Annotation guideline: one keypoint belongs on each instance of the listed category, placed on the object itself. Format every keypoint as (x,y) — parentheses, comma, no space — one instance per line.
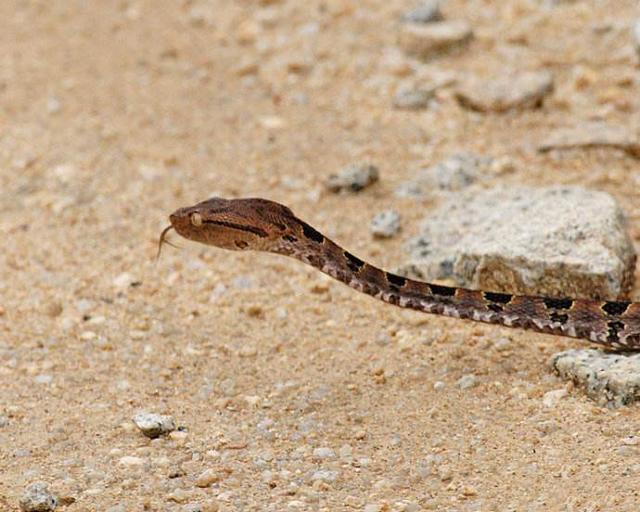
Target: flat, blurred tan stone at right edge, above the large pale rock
(593,135)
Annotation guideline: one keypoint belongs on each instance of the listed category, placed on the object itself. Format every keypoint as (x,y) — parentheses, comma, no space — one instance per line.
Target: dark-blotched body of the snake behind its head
(613,324)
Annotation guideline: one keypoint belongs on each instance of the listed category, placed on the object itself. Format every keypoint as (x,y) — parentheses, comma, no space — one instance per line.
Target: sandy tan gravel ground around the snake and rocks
(295,392)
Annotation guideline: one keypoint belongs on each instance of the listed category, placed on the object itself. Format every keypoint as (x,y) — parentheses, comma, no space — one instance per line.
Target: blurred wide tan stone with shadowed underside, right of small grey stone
(513,91)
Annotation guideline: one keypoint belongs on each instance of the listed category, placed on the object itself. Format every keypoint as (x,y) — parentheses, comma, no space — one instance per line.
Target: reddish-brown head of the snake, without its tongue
(234,224)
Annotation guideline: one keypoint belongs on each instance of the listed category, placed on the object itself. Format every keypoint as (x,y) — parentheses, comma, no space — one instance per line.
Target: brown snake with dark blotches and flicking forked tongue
(262,225)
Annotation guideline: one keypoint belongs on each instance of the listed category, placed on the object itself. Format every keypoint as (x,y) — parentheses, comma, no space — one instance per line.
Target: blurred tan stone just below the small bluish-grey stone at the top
(425,41)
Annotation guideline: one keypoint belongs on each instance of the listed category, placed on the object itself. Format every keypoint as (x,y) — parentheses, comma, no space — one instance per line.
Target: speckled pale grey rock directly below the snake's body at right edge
(611,379)
